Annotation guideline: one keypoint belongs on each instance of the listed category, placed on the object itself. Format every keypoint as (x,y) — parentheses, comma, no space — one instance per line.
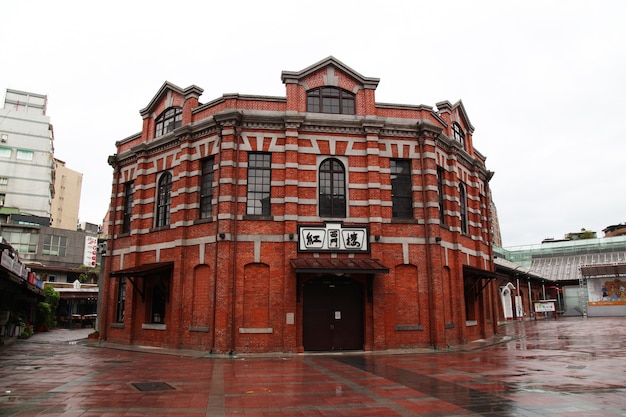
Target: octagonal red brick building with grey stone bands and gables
(322,220)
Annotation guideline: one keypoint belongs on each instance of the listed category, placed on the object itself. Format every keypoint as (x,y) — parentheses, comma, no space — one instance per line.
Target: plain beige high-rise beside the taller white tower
(66,202)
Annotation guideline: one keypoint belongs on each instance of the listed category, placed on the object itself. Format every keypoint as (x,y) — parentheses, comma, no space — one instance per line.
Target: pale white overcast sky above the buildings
(542,82)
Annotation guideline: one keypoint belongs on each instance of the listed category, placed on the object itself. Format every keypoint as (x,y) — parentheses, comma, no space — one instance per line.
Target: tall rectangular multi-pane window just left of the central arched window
(259,184)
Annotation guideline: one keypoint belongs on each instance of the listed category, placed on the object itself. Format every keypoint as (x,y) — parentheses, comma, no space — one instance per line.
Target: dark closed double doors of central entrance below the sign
(332,316)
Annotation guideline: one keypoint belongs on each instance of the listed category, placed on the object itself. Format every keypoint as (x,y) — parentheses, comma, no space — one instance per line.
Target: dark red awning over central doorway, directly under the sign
(339,265)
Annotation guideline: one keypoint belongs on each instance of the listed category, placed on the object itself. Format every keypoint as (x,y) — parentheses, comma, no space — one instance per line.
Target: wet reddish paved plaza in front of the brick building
(567,367)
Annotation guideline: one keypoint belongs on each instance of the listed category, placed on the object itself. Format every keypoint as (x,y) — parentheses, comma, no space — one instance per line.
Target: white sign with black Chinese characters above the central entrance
(333,237)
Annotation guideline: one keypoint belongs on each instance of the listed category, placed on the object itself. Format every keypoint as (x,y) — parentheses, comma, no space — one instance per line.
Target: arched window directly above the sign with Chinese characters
(332,189)
